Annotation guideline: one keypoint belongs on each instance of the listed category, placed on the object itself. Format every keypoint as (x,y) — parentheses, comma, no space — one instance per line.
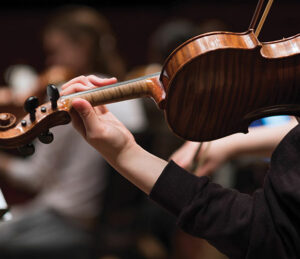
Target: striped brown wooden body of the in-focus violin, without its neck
(218,83)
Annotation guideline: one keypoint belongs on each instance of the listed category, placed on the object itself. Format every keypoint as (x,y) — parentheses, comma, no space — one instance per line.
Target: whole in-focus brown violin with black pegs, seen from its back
(211,86)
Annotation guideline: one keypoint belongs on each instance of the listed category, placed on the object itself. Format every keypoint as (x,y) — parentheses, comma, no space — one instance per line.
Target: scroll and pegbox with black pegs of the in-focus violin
(36,123)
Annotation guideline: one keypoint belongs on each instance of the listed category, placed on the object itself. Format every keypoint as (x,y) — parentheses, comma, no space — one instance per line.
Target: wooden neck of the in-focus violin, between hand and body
(147,86)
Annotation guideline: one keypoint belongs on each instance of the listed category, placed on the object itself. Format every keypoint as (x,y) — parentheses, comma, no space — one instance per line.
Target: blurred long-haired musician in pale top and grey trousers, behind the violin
(60,222)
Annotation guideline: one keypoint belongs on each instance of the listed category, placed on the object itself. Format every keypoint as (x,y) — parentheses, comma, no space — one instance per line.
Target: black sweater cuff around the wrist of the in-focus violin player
(175,188)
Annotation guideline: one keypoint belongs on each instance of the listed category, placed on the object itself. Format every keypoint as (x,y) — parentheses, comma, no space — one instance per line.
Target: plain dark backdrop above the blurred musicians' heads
(133,22)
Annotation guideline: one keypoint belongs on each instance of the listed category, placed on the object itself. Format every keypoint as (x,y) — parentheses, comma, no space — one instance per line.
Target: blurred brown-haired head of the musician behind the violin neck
(80,38)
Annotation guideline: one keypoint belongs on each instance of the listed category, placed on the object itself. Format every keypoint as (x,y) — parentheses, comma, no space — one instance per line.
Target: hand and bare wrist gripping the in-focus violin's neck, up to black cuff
(110,137)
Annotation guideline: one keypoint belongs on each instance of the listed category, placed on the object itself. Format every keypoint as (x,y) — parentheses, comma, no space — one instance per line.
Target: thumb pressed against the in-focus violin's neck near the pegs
(86,113)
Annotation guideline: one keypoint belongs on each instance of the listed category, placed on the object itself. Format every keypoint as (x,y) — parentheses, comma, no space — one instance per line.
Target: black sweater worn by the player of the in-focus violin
(265,225)
